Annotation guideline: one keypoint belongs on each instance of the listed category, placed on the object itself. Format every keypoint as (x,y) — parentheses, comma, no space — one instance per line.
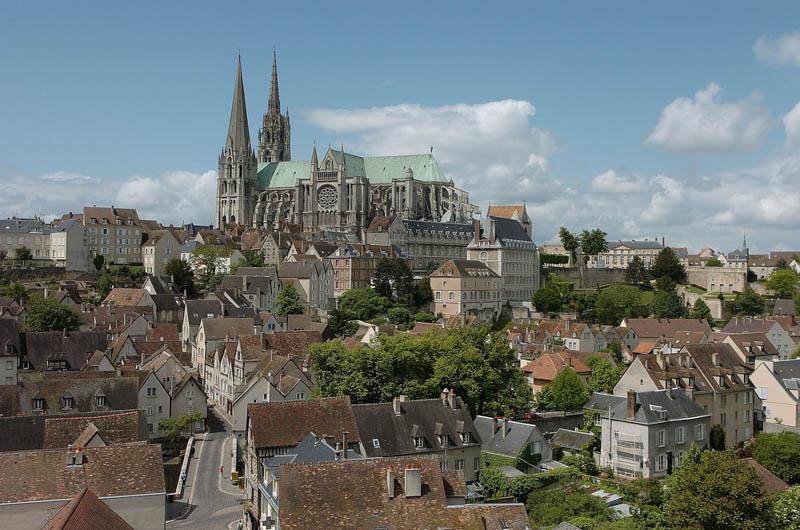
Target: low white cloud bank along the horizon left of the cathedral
(171,197)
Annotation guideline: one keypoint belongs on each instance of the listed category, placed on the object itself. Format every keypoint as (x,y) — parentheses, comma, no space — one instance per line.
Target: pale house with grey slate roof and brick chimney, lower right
(645,434)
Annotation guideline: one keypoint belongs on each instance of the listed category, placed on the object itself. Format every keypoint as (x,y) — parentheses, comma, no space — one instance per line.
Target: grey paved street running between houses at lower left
(213,503)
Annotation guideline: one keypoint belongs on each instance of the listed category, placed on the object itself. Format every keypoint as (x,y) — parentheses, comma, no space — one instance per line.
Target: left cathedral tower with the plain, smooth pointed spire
(236,179)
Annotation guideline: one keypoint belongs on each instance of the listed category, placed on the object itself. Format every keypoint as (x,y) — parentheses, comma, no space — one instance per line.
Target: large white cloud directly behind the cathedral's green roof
(490,149)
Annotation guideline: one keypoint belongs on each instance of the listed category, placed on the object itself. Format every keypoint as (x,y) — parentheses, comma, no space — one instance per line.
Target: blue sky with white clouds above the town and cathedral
(676,119)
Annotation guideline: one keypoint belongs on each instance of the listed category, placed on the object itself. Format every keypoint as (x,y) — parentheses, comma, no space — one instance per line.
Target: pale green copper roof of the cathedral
(378,169)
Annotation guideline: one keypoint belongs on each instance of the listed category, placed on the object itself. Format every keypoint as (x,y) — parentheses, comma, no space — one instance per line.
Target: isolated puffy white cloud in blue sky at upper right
(704,124)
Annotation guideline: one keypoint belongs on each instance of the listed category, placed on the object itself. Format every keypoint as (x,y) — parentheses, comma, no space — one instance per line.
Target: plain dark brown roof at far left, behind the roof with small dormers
(75,347)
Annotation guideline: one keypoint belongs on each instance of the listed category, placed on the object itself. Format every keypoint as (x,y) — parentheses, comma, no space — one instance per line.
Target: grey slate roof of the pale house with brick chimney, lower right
(678,406)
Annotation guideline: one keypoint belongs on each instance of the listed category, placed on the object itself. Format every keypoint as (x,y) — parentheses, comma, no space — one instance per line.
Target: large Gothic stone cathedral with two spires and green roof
(338,191)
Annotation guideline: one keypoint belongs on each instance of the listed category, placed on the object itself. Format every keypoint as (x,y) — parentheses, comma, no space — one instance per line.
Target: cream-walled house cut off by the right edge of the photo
(777,385)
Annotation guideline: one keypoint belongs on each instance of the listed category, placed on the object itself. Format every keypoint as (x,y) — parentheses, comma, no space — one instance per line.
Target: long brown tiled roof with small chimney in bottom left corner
(127,469)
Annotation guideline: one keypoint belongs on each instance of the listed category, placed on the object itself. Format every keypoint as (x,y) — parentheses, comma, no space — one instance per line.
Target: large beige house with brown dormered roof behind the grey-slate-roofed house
(712,376)
